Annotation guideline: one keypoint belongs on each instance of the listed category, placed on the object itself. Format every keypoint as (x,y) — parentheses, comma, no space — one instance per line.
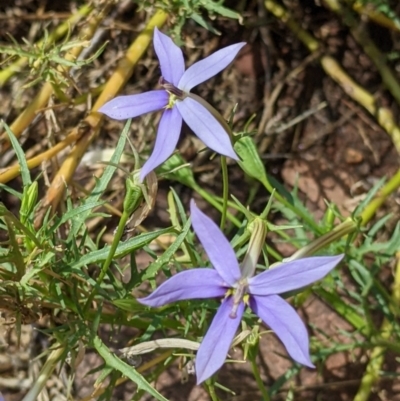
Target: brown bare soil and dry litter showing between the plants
(309,132)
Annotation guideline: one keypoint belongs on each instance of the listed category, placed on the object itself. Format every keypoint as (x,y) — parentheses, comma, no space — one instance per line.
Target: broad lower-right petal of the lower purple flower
(287,325)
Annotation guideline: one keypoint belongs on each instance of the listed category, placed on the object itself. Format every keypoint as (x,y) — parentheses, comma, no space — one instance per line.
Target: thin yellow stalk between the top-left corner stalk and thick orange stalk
(41,99)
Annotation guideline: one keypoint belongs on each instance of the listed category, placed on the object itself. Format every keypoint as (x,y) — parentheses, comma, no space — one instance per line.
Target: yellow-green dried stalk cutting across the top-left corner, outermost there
(58,33)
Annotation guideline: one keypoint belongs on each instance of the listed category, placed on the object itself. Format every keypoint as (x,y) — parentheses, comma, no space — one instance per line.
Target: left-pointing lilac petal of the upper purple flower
(124,107)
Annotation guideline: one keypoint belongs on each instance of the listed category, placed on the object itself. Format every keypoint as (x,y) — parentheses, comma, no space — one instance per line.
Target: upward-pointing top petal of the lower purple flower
(218,248)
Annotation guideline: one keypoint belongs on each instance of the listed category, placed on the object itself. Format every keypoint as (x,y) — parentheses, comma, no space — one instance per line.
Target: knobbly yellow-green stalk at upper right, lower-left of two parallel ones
(332,67)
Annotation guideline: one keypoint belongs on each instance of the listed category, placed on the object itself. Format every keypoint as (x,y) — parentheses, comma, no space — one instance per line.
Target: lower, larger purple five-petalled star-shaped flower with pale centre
(239,288)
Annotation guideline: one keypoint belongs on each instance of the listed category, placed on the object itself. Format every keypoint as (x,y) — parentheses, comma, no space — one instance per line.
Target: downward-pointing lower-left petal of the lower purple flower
(215,345)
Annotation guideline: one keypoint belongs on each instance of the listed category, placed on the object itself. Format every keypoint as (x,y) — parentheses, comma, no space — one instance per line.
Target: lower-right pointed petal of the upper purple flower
(206,127)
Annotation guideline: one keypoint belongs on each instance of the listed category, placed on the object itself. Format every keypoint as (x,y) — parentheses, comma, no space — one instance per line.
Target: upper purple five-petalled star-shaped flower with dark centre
(178,103)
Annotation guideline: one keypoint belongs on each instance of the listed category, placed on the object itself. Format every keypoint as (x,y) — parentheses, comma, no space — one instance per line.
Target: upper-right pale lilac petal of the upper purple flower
(208,67)
